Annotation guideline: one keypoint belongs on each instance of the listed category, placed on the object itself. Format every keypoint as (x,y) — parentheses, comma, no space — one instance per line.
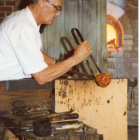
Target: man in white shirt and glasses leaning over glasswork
(20,55)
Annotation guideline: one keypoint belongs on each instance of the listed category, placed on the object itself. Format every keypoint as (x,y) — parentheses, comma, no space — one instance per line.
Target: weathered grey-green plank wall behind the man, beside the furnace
(89,16)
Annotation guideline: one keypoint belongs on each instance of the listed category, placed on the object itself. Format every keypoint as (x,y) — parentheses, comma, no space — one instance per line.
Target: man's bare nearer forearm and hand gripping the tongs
(52,72)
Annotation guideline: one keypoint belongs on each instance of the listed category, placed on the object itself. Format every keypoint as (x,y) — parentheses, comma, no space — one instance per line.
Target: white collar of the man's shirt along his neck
(30,16)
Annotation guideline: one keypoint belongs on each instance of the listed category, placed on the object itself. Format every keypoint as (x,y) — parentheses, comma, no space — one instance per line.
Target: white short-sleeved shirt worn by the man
(20,45)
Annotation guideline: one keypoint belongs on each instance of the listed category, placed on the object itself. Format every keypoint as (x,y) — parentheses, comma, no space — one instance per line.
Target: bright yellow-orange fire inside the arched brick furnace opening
(111,35)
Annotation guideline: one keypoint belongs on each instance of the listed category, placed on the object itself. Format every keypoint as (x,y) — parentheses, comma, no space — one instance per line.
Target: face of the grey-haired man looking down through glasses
(49,12)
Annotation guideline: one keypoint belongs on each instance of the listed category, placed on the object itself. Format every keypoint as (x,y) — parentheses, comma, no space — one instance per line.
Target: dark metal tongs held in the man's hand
(87,62)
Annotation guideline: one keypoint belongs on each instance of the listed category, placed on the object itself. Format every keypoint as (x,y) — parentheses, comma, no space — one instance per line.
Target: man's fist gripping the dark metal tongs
(82,51)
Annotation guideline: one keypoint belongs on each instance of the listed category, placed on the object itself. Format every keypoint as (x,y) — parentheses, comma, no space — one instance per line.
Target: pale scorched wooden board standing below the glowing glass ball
(104,108)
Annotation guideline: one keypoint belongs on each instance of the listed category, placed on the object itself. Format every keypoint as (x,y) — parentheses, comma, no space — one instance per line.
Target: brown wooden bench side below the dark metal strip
(38,98)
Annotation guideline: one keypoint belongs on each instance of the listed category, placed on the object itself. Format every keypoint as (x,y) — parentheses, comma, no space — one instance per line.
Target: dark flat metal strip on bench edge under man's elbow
(27,84)
